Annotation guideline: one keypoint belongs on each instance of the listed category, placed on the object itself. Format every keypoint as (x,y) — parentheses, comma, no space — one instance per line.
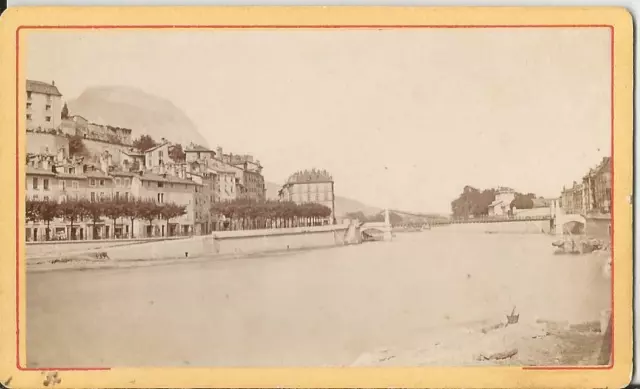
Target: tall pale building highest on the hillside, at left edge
(43,105)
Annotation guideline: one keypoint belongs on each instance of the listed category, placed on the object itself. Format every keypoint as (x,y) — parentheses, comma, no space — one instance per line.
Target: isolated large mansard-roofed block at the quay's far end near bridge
(310,186)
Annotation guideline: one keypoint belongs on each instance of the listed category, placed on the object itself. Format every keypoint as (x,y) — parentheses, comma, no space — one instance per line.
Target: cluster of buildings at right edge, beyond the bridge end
(592,195)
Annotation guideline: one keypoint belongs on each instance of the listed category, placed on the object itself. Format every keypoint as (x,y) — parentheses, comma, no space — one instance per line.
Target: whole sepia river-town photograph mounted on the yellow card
(306,197)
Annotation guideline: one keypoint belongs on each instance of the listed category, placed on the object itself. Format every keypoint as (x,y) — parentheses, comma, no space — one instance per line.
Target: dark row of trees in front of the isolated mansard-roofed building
(251,214)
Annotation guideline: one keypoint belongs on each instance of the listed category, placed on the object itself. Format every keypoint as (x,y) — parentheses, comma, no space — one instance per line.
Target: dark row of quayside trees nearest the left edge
(76,211)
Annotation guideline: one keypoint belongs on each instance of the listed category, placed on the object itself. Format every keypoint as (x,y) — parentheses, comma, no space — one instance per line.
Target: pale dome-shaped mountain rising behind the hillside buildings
(143,113)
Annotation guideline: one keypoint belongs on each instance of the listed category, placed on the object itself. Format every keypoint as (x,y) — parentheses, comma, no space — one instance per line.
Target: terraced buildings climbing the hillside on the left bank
(110,168)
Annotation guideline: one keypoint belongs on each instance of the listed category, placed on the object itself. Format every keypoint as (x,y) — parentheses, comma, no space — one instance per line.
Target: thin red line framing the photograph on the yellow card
(346,26)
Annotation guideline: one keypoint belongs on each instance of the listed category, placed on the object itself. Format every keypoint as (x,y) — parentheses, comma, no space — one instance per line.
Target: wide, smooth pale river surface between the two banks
(312,308)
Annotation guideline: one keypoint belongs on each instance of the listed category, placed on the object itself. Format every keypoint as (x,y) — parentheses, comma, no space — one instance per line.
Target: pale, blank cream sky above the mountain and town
(401,118)
